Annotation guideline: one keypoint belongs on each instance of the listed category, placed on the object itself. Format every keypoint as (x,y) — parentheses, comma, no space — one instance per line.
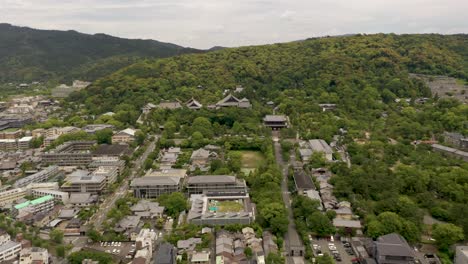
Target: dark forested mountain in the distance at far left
(28,54)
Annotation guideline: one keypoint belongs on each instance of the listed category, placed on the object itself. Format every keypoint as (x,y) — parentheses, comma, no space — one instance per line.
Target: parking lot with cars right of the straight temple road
(345,254)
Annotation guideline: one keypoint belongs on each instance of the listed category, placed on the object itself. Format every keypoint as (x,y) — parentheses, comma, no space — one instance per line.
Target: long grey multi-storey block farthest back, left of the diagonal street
(72,153)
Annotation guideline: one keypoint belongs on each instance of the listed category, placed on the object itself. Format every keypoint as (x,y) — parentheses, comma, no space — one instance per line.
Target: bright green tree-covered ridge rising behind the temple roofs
(313,66)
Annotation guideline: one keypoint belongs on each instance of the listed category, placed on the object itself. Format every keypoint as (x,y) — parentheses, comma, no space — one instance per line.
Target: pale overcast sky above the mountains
(207,23)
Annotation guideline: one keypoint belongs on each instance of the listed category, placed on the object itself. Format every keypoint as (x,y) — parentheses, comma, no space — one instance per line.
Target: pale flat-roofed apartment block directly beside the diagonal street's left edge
(82,181)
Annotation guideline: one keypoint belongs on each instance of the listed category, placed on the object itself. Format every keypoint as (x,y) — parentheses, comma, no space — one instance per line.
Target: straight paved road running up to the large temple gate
(291,237)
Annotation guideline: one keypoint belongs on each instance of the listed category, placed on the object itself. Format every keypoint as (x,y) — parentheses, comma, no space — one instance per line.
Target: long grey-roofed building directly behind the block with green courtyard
(216,185)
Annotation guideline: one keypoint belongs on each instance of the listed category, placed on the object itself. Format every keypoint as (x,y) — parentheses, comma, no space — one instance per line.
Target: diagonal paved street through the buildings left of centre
(99,217)
